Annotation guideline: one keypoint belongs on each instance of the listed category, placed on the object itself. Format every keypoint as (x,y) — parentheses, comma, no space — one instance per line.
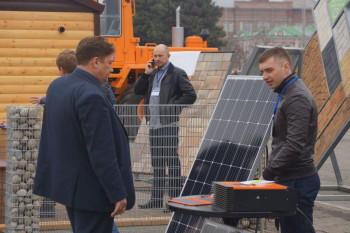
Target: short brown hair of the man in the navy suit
(93,46)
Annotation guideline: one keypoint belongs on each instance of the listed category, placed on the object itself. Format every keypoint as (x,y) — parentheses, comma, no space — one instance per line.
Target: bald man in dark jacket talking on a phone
(165,88)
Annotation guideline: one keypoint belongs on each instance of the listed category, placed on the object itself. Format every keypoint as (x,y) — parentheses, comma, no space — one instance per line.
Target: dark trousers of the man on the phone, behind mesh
(164,144)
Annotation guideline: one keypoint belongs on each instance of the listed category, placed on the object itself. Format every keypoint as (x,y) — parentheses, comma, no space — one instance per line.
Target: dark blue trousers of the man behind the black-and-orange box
(307,189)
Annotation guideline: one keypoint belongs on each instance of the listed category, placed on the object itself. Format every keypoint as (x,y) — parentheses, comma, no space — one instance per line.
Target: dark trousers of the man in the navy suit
(85,221)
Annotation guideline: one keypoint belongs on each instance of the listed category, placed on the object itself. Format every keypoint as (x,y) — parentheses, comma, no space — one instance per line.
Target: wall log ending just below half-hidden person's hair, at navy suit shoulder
(27,80)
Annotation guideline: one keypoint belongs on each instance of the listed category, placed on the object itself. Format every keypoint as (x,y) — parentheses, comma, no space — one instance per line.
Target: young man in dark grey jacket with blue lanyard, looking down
(294,134)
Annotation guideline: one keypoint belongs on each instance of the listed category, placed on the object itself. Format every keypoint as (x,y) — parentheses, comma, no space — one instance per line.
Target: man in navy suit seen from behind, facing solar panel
(84,155)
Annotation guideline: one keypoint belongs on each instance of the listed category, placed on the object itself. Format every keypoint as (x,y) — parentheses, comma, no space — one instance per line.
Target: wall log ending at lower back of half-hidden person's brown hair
(40,71)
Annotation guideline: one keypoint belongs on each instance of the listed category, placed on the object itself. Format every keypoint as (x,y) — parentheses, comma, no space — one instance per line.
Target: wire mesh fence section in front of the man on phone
(161,158)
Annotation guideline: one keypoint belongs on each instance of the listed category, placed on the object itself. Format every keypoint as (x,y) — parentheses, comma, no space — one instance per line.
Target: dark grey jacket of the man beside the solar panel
(294,134)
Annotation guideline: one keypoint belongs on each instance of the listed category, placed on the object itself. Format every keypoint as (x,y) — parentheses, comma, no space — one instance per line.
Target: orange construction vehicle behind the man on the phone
(116,26)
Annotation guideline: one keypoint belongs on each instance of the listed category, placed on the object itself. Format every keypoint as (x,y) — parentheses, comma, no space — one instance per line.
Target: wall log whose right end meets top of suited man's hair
(28,43)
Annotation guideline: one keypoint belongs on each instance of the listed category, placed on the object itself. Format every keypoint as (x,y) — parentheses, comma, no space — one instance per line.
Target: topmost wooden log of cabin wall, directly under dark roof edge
(46,16)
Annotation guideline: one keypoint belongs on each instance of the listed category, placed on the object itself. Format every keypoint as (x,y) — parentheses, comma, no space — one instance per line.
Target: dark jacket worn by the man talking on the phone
(175,89)
